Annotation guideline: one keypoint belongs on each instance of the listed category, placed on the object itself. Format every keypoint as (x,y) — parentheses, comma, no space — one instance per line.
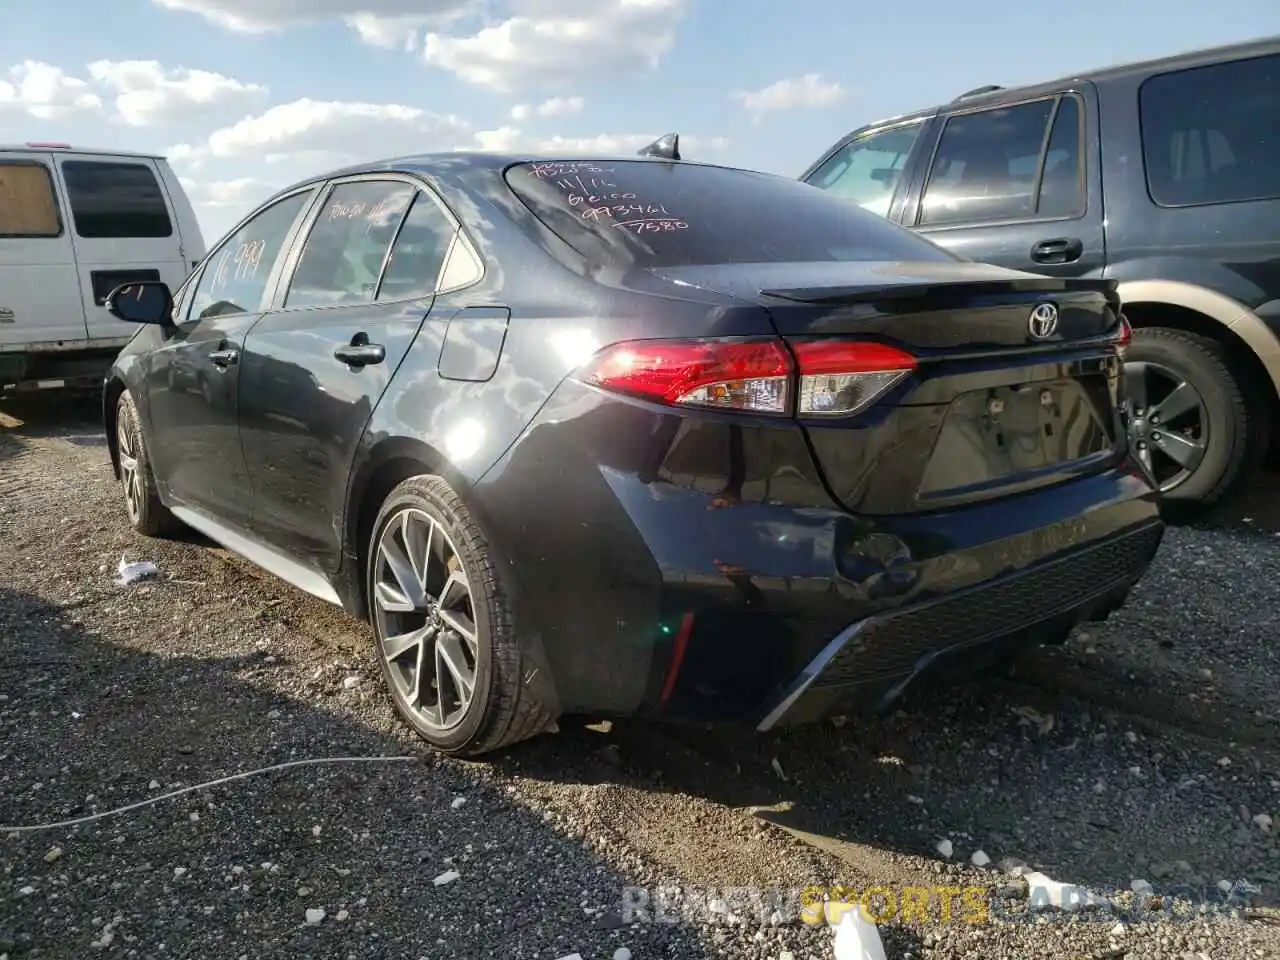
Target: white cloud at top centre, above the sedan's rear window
(554,42)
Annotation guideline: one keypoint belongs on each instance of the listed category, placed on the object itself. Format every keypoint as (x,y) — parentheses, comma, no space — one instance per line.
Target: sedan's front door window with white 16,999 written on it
(235,278)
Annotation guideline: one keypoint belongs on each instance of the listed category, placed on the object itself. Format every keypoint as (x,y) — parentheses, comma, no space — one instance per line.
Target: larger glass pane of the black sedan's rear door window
(345,253)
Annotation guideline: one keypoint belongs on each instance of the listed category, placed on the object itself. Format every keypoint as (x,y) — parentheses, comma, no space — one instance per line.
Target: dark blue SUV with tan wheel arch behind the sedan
(1164,176)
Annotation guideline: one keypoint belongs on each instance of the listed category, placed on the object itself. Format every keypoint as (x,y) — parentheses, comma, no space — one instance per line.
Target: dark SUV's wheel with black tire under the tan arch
(1231,423)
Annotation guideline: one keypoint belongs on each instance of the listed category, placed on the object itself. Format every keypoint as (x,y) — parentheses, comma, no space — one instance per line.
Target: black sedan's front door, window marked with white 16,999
(193,381)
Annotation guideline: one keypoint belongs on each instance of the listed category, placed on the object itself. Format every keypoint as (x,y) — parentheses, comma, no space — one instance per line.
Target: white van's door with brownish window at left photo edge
(40,299)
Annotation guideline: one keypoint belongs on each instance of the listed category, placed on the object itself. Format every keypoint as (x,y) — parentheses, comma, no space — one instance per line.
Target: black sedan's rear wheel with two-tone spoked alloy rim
(444,625)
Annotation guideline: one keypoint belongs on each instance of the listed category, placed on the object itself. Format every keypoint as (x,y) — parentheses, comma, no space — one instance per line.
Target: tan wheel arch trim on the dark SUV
(1250,342)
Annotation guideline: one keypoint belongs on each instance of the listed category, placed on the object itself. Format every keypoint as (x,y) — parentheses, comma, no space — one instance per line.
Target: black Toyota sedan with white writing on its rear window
(634,437)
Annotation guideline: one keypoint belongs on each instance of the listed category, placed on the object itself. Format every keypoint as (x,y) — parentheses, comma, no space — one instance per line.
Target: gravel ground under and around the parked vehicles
(1148,748)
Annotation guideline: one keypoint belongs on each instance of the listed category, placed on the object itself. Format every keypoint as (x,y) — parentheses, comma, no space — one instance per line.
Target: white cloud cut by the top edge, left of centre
(382,22)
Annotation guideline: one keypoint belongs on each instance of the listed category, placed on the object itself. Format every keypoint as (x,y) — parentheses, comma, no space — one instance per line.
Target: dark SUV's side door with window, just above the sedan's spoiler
(1017,185)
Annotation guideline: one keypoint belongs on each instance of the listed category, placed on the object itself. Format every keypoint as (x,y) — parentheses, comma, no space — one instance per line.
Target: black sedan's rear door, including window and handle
(313,371)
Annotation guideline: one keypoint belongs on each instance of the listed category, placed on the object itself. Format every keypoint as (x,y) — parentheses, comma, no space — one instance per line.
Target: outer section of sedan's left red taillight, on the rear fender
(752,376)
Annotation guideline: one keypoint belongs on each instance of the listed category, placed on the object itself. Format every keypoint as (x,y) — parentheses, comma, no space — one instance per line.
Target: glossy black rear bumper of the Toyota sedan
(696,569)
